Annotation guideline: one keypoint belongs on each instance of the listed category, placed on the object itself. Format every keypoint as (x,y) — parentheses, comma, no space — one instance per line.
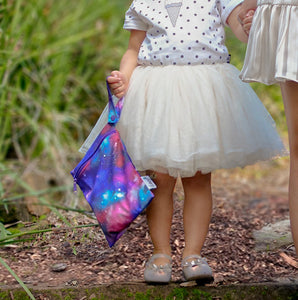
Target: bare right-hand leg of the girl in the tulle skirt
(197,211)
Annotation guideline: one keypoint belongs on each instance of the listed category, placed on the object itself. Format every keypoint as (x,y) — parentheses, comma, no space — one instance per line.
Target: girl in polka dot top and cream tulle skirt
(186,113)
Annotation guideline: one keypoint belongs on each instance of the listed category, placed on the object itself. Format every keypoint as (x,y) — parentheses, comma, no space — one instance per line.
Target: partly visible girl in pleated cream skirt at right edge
(272,57)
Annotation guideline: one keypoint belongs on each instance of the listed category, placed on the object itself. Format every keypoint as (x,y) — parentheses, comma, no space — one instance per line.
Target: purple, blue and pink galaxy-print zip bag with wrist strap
(109,181)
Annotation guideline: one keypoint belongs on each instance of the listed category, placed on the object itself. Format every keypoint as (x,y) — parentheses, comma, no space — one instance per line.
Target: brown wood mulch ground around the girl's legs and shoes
(244,200)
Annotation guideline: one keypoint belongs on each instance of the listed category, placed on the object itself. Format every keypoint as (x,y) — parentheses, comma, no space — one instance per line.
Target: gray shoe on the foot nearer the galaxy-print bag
(158,273)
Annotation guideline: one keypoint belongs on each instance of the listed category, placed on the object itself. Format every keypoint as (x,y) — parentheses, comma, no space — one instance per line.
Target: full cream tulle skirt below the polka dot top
(183,119)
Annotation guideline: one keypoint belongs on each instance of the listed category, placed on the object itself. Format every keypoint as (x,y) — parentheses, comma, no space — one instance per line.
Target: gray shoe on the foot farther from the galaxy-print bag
(195,267)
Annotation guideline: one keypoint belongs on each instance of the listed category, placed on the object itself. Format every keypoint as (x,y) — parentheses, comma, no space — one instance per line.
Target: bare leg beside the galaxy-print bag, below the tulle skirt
(159,214)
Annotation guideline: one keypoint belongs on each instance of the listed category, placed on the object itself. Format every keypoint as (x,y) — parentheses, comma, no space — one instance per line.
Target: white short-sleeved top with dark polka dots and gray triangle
(181,32)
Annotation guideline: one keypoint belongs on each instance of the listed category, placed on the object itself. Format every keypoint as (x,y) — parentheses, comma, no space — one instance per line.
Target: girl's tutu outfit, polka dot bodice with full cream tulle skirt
(186,109)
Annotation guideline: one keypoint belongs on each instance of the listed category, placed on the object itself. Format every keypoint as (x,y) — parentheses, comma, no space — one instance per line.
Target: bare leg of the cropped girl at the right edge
(289,91)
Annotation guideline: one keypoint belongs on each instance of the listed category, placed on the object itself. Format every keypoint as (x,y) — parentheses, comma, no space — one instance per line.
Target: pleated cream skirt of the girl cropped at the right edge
(272,50)
